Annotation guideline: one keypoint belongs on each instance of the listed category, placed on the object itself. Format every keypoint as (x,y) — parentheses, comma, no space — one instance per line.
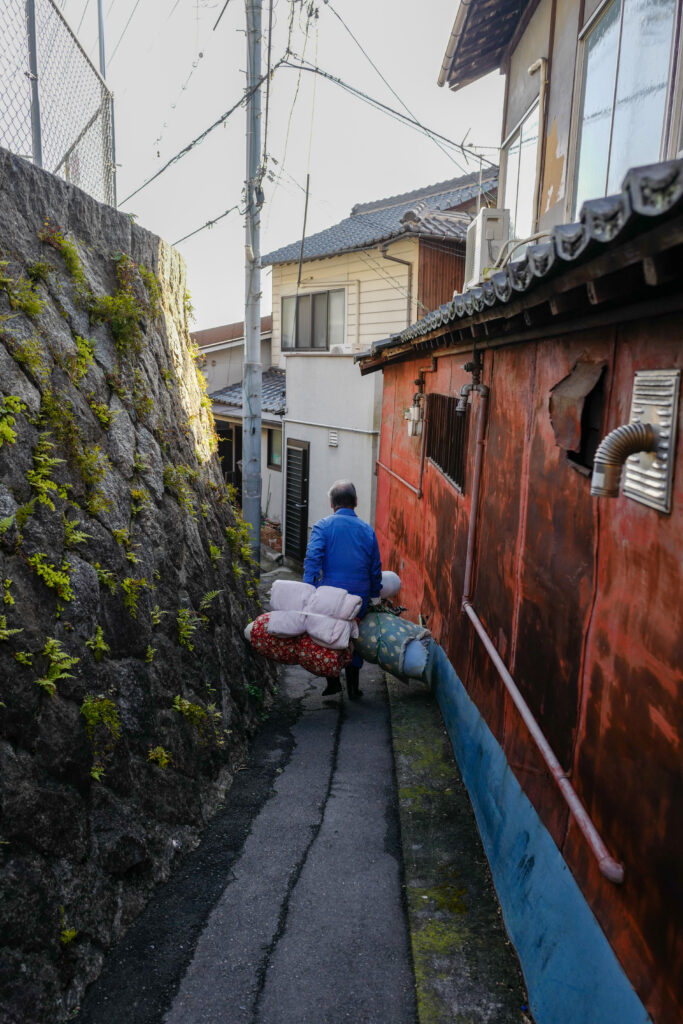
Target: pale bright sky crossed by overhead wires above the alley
(174,74)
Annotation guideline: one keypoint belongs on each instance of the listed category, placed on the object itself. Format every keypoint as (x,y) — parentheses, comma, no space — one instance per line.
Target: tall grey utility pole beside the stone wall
(251,443)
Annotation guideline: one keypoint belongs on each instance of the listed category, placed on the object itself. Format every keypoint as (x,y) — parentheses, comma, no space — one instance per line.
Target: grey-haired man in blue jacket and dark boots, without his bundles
(344,552)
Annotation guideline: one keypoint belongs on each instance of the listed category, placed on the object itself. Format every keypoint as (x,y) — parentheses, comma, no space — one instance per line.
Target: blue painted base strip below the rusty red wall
(572,973)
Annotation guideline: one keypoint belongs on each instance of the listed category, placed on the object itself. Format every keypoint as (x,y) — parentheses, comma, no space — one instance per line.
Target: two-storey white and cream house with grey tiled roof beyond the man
(366,278)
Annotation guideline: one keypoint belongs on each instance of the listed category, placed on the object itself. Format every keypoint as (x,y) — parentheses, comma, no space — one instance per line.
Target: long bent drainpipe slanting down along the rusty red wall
(609,867)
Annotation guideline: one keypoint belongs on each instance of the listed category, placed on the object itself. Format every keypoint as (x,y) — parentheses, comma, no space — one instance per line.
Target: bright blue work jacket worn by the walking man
(344,552)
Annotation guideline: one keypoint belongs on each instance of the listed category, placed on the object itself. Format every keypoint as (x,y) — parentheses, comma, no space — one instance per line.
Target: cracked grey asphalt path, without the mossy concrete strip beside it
(292,910)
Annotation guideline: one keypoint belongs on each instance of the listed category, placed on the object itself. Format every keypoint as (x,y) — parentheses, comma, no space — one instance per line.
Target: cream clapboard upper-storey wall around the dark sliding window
(374,285)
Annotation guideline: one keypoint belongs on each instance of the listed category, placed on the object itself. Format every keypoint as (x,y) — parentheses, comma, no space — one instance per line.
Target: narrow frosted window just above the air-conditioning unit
(522,151)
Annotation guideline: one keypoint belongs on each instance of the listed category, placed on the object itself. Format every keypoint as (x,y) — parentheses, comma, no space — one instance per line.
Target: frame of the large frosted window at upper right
(673,113)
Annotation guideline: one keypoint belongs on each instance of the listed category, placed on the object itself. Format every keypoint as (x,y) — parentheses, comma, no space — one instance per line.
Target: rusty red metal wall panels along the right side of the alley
(582,599)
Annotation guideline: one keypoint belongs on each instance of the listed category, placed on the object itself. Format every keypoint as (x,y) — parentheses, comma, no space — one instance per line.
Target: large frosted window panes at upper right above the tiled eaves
(626,61)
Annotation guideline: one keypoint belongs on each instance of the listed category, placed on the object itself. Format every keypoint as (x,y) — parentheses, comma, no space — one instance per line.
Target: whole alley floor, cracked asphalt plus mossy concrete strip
(293,910)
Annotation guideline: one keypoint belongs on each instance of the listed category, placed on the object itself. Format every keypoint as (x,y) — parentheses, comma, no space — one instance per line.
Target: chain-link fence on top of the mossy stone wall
(55,108)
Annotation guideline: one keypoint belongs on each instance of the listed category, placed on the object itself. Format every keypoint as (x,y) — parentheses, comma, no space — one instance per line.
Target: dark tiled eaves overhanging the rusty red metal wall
(623,262)
